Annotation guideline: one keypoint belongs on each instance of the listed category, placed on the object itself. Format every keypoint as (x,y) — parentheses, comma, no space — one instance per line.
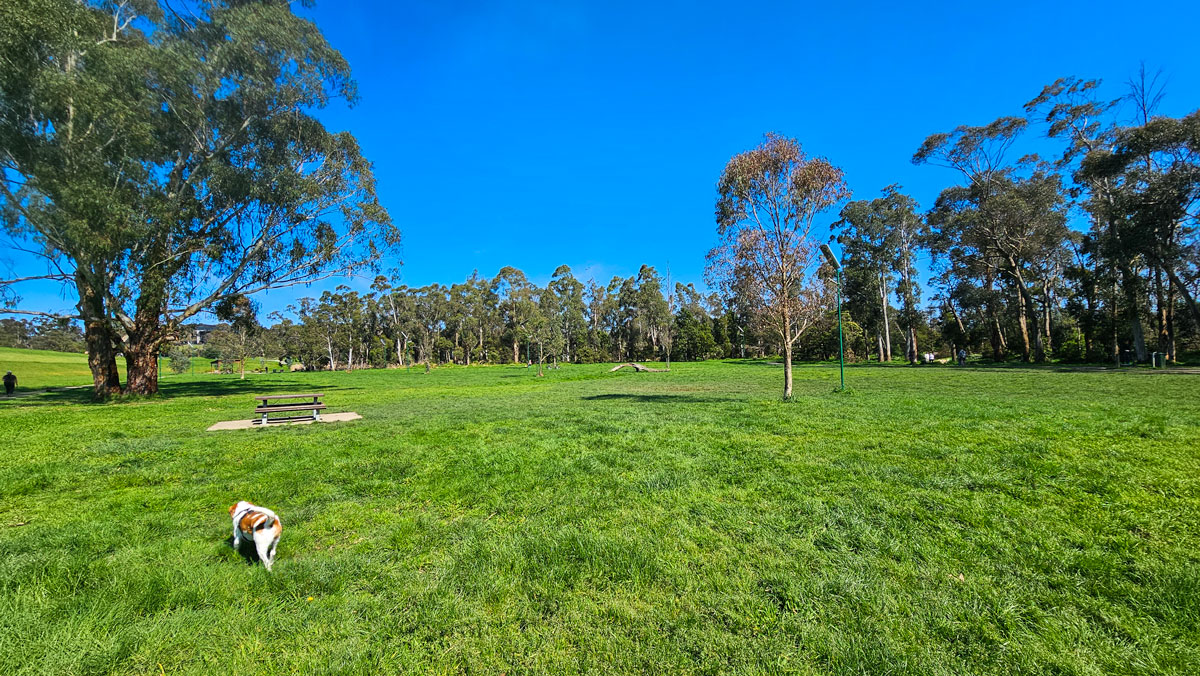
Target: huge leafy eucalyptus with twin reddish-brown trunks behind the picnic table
(185,167)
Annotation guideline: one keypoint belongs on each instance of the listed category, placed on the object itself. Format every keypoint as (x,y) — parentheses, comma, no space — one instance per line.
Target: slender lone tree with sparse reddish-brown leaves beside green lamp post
(769,199)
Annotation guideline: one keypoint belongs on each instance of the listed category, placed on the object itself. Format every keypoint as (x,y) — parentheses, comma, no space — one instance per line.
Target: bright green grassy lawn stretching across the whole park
(935,521)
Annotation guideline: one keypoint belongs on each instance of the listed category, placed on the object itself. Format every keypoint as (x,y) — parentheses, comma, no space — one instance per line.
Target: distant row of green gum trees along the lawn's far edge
(507,320)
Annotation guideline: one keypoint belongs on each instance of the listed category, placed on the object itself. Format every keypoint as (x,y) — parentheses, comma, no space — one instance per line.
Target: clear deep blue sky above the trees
(593,134)
